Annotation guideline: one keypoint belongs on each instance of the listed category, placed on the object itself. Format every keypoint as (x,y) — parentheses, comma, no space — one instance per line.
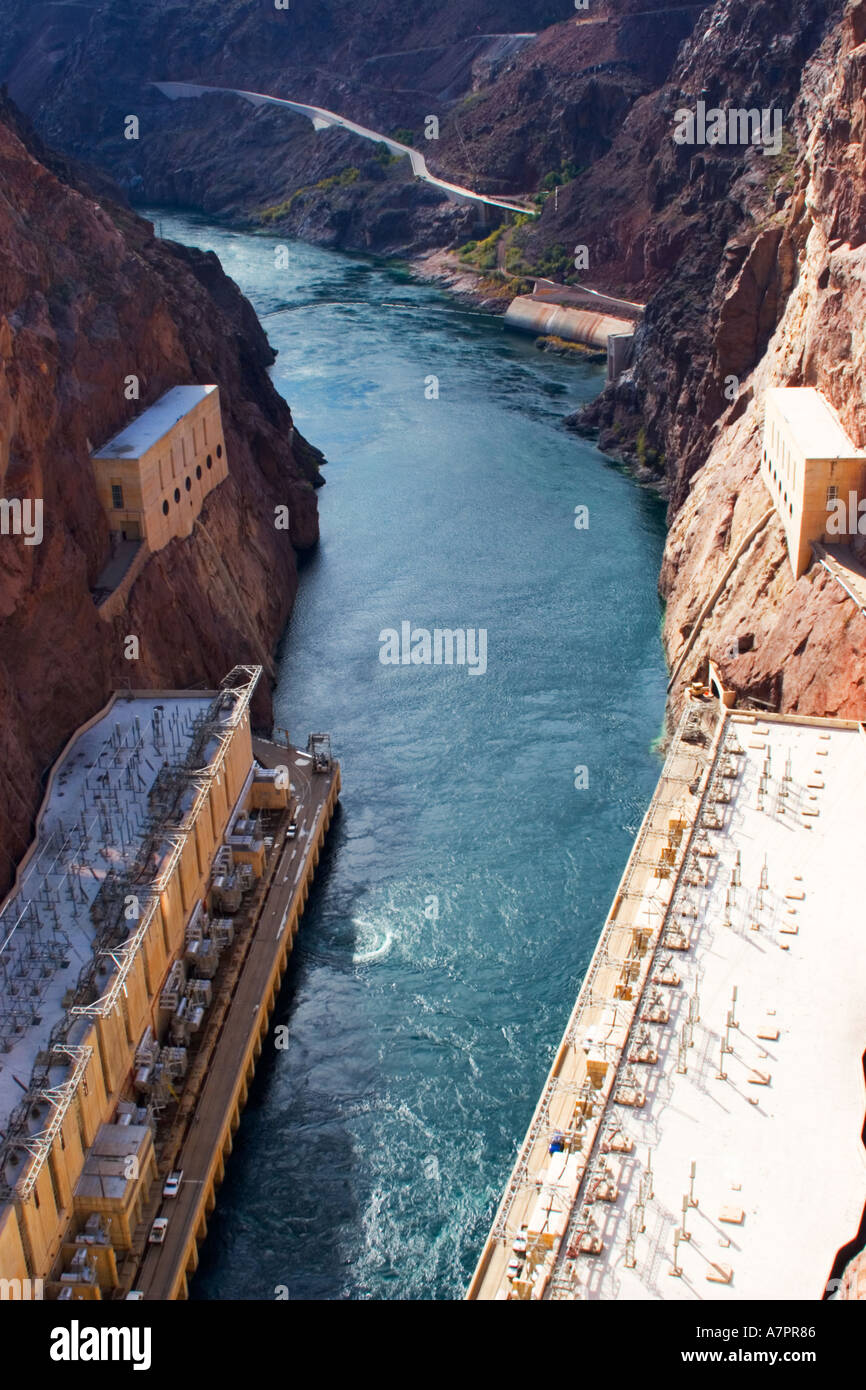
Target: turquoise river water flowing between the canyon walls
(468,878)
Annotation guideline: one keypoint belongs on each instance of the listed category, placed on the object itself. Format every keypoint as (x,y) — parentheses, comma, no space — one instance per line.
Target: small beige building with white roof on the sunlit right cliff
(810,468)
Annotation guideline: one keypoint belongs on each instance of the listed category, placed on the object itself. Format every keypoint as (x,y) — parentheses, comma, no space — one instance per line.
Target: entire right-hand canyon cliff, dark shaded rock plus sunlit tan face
(754,269)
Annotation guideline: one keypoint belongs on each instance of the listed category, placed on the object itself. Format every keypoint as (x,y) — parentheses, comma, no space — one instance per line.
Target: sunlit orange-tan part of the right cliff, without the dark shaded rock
(796,646)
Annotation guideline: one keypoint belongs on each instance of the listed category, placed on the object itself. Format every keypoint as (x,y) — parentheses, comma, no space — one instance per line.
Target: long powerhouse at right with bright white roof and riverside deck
(700,1134)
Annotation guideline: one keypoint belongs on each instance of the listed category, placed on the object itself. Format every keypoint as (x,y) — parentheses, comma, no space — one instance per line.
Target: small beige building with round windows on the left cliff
(155,475)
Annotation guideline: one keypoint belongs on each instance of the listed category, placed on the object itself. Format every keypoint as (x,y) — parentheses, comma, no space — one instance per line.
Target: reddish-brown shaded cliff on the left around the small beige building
(88,297)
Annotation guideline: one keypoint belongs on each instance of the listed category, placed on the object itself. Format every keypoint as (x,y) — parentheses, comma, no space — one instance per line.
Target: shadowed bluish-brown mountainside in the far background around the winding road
(512,111)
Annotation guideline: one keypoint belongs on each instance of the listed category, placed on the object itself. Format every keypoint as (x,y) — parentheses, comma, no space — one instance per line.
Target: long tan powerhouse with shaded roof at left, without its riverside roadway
(148,837)
